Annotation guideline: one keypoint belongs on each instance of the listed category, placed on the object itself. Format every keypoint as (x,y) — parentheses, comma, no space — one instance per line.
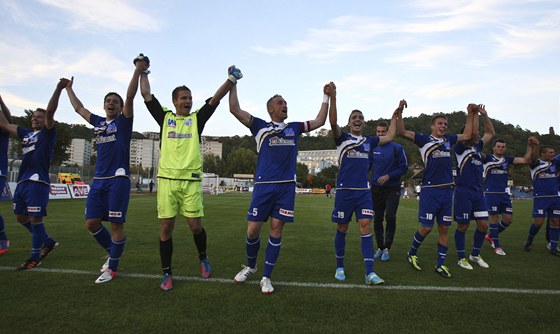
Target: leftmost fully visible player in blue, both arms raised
(32,192)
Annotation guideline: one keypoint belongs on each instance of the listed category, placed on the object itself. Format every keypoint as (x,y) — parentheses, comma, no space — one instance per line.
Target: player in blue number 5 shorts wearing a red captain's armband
(275,177)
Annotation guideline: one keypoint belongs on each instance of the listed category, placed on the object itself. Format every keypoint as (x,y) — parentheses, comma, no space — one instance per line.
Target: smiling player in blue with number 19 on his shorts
(353,188)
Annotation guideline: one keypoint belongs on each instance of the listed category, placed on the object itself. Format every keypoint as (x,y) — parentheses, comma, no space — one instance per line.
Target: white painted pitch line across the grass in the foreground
(310,285)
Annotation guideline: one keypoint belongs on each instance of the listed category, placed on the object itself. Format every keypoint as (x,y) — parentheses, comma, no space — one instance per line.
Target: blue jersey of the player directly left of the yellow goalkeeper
(112,140)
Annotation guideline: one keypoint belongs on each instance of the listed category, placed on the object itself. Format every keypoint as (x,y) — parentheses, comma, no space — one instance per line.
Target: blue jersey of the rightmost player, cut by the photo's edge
(545,178)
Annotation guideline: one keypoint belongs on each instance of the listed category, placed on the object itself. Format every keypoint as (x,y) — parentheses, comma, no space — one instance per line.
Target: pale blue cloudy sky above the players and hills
(439,56)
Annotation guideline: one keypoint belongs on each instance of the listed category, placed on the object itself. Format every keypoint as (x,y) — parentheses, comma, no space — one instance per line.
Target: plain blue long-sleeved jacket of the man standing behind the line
(388,159)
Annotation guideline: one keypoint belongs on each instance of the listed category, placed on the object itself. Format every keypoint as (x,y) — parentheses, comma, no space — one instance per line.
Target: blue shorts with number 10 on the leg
(435,203)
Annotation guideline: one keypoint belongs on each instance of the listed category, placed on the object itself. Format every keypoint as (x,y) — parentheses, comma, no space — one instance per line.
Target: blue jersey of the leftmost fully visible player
(37,152)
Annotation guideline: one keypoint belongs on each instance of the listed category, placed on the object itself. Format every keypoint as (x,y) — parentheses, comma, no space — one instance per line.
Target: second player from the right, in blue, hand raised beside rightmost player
(496,170)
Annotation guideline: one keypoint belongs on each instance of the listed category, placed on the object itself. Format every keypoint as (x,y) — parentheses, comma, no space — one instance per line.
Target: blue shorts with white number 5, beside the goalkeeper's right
(274,200)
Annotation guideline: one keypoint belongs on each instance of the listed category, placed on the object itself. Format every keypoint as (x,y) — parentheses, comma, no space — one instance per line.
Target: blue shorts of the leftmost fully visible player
(31,198)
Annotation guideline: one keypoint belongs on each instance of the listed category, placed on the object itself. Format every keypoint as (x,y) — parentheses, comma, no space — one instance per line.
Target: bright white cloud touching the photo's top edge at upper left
(115,15)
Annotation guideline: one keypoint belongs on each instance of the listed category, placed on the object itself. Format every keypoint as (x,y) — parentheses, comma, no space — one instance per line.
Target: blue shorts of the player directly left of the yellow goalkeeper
(108,199)
